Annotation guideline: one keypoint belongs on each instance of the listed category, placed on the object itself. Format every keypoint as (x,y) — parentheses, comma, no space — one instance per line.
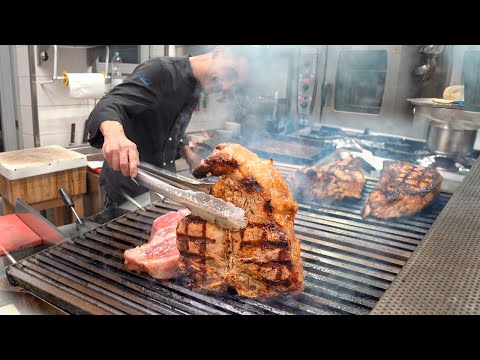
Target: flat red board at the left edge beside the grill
(15,235)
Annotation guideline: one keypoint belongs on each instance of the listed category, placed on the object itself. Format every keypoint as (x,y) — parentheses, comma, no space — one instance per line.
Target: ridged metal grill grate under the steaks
(348,264)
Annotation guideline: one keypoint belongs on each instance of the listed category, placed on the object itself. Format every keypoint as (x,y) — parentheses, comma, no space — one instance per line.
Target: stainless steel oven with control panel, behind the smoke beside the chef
(352,86)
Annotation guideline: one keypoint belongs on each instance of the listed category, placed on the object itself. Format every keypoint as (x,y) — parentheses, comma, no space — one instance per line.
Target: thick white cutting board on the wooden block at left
(38,161)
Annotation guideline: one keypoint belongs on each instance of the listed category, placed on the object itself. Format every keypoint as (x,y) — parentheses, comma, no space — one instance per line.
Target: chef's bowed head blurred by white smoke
(226,68)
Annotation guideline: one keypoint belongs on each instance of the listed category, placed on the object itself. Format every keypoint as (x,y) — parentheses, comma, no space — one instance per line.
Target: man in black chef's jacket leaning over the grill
(145,117)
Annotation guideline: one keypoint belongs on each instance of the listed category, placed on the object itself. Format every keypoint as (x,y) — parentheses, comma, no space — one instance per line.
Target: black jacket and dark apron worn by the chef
(154,104)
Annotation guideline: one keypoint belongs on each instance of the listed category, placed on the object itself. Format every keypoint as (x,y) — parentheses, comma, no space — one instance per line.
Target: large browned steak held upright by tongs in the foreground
(261,261)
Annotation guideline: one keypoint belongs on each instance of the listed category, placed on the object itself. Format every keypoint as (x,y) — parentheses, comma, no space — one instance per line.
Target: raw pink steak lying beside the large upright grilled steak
(159,257)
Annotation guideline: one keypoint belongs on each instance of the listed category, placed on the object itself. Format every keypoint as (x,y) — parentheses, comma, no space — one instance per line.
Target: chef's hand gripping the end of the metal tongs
(119,152)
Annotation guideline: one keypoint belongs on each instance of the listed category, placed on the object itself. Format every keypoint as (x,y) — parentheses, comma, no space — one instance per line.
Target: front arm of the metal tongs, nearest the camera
(201,204)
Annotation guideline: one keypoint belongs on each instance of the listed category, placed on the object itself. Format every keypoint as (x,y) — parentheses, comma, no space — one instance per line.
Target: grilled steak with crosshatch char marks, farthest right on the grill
(404,190)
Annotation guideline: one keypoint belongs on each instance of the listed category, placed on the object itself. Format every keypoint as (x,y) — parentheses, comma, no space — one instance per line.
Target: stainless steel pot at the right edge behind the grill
(445,140)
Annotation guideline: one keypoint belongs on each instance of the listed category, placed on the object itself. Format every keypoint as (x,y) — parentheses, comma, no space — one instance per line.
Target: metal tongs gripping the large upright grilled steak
(193,194)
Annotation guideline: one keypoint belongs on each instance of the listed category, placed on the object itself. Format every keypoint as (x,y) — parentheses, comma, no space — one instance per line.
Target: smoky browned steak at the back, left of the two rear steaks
(338,180)
